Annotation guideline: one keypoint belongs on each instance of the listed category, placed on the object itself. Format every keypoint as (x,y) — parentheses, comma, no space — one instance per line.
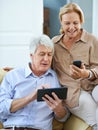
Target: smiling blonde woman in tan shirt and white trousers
(75,43)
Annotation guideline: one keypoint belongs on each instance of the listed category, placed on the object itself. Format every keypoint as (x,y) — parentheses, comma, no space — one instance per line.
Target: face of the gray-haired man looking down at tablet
(41,60)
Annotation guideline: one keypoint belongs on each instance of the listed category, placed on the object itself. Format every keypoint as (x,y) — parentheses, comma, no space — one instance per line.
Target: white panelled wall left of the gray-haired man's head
(19,21)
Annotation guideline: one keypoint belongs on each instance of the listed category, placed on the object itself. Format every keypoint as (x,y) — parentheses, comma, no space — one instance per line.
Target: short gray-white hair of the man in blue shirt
(41,40)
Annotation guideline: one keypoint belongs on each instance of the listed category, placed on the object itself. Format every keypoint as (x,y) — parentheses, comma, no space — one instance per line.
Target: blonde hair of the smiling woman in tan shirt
(68,8)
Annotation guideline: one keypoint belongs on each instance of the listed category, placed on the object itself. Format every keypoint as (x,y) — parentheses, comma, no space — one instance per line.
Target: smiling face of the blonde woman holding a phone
(71,24)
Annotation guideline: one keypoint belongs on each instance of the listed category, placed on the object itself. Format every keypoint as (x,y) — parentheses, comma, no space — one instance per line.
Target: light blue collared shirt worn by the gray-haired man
(21,82)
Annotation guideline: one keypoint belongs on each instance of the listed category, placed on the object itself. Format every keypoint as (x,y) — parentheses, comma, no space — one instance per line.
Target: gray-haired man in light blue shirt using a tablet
(19,108)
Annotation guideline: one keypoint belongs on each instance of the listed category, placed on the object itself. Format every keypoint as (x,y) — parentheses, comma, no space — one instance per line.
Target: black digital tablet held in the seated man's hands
(60,92)
